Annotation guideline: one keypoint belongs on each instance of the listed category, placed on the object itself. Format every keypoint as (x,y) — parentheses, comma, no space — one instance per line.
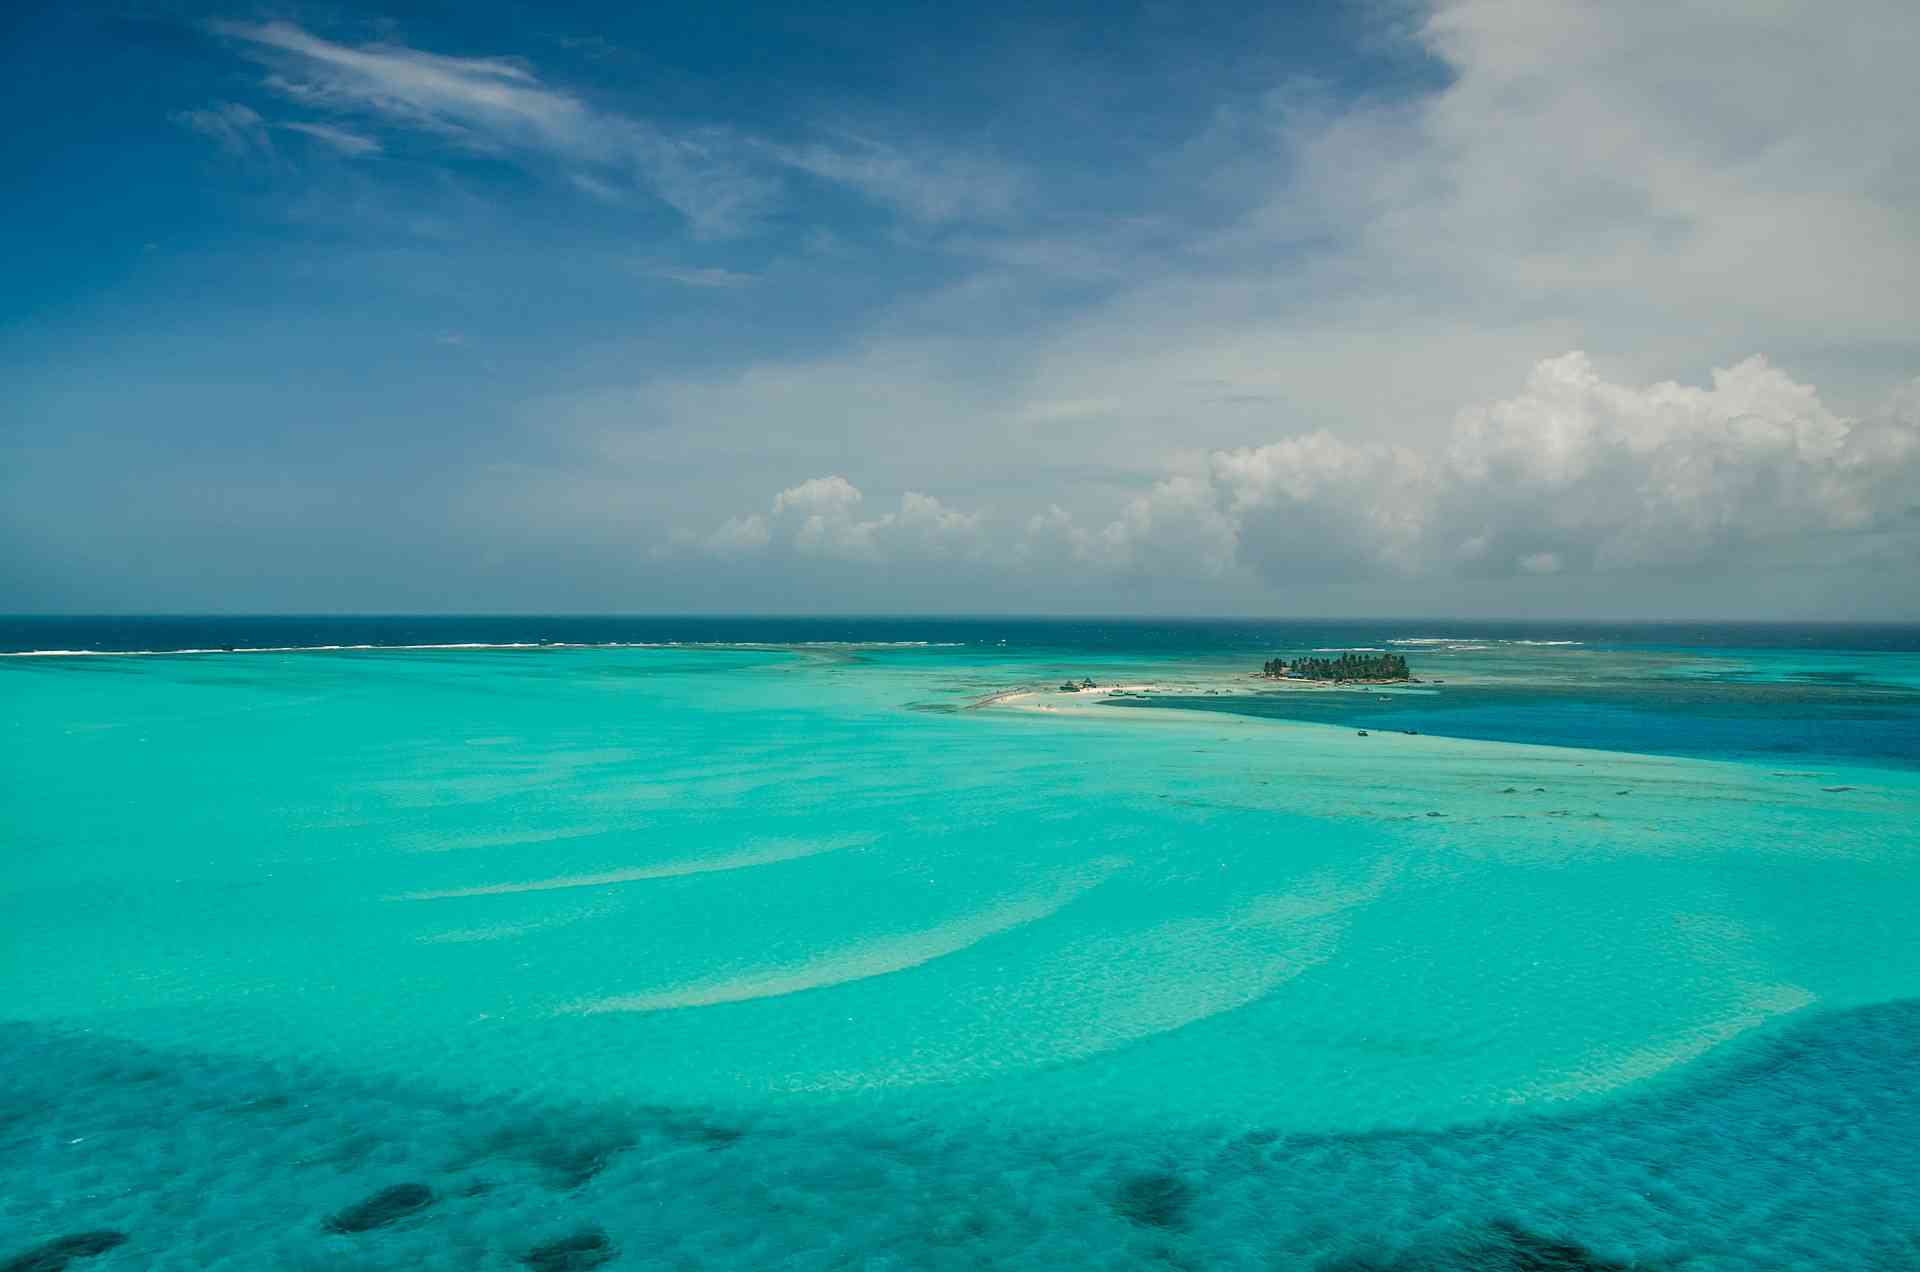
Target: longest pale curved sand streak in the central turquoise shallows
(876,958)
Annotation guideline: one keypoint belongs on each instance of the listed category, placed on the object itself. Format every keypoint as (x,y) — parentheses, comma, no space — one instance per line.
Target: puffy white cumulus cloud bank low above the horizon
(1572,476)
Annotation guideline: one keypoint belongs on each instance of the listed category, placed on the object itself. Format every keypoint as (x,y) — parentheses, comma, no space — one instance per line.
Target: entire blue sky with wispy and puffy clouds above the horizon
(1383,308)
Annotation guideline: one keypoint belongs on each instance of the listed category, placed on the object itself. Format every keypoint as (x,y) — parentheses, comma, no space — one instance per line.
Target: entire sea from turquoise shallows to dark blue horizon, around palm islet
(857,944)
